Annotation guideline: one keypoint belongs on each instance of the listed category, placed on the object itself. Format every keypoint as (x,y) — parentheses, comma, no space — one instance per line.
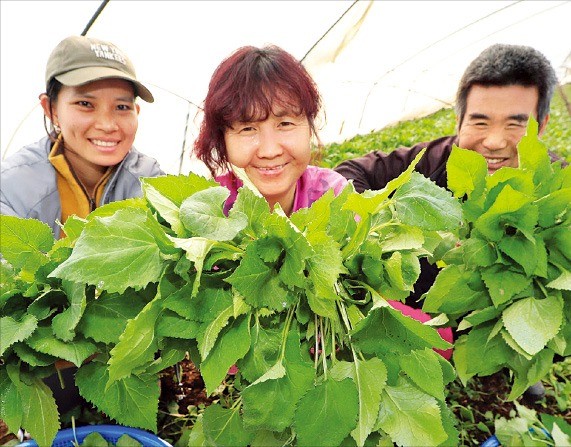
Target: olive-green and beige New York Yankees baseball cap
(78,60)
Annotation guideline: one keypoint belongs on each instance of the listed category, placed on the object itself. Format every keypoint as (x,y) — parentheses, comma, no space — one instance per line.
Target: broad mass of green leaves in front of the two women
(298,304)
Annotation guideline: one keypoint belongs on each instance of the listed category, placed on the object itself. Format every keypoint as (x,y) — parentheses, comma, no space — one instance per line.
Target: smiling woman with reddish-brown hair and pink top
(259,116)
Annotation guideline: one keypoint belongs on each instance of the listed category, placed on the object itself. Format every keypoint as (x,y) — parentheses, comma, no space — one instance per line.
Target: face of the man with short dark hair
(496,120)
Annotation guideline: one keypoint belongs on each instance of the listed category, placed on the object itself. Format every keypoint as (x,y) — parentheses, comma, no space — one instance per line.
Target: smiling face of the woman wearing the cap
(98,122)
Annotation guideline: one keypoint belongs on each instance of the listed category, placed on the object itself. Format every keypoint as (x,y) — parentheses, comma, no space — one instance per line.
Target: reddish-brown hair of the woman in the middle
(245,87)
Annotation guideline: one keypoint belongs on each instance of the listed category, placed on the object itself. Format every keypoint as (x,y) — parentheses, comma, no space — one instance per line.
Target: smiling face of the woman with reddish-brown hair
(274,153)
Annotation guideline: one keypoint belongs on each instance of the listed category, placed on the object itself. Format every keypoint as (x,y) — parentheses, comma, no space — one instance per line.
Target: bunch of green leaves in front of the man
(509,280)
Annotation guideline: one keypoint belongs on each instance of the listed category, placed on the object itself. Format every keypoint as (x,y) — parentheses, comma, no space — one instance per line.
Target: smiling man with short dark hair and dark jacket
(498,92)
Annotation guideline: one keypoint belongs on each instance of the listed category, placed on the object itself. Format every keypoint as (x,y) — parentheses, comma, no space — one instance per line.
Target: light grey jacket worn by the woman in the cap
(28,186)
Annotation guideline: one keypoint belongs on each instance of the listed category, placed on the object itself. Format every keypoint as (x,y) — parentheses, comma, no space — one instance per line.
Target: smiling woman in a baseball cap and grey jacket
(87,159)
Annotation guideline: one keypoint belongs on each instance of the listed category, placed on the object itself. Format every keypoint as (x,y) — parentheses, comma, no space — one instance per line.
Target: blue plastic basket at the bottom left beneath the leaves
(111,433)
